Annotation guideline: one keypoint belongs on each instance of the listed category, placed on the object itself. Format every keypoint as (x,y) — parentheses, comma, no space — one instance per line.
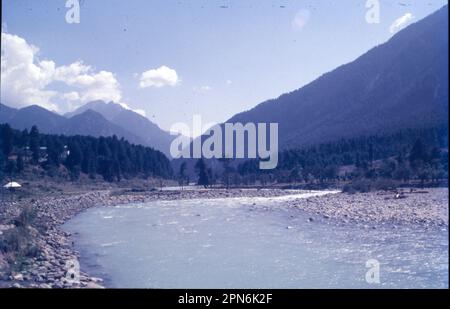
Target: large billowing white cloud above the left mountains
(25,79)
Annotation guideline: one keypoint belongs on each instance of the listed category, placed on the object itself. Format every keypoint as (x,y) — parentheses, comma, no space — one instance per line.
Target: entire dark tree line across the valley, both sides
(414,154)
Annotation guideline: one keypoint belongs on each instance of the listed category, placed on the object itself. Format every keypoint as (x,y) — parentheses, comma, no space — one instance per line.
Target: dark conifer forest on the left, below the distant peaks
(110,157)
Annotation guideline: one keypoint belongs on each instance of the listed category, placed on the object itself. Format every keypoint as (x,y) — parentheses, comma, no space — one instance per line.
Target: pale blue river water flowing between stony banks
(251,243)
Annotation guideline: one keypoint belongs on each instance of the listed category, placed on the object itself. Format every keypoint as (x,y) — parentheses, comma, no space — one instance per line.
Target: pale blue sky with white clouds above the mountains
(171,59)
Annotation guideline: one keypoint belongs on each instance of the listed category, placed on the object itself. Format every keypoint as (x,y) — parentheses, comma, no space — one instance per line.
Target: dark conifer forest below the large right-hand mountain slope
(412,154)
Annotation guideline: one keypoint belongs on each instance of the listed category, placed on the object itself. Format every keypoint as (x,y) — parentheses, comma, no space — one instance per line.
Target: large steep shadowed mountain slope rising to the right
(400,84)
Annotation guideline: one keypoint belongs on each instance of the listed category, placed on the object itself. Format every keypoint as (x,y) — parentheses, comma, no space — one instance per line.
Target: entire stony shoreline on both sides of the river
(49,270)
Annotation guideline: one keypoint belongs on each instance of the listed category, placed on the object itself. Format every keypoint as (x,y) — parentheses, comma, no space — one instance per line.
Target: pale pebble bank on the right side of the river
(427,208)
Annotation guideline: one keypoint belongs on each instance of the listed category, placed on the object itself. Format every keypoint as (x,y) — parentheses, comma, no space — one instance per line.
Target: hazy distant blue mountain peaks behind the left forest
(95,118)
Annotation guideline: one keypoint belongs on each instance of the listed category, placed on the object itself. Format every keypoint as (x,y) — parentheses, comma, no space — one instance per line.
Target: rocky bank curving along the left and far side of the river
(50,262)
